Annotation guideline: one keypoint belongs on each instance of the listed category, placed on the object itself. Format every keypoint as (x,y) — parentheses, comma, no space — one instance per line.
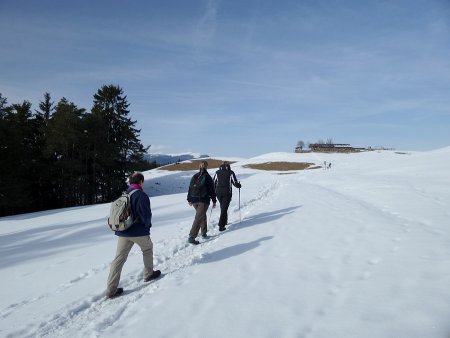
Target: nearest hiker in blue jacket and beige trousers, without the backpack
(138,233)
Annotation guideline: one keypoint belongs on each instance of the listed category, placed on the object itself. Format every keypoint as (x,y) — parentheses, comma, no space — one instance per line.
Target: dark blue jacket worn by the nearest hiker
(142,213)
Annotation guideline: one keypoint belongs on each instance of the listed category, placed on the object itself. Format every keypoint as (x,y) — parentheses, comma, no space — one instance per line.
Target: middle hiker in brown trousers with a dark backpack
(201,192)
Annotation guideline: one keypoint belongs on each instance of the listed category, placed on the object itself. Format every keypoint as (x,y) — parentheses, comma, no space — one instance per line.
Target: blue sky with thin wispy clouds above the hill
(242,77)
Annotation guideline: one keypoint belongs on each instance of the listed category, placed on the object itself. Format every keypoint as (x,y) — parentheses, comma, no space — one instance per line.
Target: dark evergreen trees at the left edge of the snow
(61,155)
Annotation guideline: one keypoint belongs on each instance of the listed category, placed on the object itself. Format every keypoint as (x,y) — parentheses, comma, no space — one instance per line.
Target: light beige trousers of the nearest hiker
(124,245)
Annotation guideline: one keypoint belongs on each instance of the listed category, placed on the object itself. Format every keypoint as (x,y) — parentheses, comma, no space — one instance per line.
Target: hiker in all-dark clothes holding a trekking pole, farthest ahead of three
(224,178)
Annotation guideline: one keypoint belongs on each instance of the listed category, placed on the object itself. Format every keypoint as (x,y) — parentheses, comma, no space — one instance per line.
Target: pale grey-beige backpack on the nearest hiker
(120,215)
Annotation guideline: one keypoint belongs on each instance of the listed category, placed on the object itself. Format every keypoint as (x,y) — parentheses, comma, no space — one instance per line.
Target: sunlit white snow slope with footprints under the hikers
(360,250)
